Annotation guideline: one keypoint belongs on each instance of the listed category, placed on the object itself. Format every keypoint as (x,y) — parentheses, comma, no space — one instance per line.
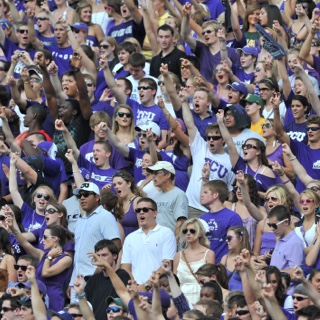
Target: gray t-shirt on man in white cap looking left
(171,206)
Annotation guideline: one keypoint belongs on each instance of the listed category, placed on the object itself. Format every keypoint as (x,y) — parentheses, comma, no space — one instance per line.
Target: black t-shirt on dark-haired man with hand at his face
(98,288)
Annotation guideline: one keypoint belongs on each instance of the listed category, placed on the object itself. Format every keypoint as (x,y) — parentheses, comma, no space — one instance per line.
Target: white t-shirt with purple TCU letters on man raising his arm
(220,168)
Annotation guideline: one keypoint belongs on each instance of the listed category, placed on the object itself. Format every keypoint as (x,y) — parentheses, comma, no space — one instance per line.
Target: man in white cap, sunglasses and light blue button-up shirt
(95,224)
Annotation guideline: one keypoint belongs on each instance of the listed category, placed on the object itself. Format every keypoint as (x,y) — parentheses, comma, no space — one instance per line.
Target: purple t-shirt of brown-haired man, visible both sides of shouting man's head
(117,161)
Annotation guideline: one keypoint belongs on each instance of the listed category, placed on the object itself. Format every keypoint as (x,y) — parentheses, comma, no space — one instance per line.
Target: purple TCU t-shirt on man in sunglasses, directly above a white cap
(145,114)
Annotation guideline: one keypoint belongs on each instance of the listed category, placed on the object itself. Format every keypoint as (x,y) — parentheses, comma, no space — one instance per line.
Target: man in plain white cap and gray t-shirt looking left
(172,202)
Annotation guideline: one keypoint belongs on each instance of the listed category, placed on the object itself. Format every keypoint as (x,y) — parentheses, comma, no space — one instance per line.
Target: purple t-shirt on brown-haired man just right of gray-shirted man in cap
(219,222)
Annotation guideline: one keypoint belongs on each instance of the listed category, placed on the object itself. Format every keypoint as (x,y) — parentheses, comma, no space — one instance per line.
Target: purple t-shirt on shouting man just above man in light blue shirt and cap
(100,177)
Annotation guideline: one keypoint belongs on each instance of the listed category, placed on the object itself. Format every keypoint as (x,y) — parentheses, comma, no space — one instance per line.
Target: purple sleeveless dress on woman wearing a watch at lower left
(55,283)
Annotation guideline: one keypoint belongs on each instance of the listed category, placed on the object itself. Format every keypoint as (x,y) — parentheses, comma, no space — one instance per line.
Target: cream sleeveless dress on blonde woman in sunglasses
(188,284)
